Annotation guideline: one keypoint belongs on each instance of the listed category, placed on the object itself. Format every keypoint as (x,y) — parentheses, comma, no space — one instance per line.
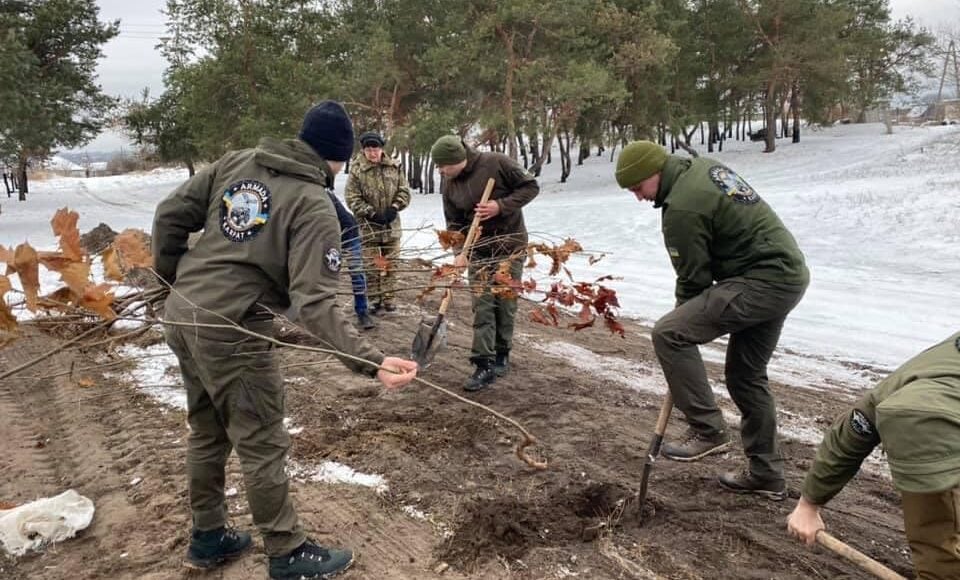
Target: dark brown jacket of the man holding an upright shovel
(505,233)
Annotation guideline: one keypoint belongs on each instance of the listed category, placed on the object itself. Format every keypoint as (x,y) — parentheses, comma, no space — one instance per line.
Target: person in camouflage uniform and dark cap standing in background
(377,191)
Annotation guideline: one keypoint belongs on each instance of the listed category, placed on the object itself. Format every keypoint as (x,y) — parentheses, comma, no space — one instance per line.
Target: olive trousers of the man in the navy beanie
(235,400)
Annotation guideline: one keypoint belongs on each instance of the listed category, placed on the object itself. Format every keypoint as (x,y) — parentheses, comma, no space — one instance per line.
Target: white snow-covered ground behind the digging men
(876,215)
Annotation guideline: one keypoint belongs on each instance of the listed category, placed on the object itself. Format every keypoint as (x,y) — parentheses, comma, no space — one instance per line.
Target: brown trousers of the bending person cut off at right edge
(932,524)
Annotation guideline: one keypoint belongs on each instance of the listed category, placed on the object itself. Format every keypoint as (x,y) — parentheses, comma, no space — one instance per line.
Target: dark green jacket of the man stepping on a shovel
(715,226)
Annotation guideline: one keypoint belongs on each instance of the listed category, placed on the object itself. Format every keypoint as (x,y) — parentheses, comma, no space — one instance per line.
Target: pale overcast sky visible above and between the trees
(132,62)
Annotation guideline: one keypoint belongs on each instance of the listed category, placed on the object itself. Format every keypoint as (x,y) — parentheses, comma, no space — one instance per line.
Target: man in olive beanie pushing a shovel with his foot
(739,272)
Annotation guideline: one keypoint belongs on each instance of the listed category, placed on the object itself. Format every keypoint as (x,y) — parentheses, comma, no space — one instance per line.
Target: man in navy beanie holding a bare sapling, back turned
(270,242)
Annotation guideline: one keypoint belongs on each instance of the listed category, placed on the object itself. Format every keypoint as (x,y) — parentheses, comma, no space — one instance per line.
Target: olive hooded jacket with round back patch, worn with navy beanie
(270,240)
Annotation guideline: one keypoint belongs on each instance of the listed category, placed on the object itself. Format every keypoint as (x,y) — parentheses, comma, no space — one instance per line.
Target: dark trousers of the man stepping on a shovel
(752,312)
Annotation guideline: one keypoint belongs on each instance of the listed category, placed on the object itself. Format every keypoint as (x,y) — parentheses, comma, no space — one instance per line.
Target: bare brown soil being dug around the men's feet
(487,515)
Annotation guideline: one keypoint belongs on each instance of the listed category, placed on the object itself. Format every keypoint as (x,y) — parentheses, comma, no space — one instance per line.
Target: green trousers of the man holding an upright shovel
(493,315)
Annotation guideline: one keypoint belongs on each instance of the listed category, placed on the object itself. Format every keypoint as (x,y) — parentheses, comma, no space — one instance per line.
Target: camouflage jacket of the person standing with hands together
(374,187)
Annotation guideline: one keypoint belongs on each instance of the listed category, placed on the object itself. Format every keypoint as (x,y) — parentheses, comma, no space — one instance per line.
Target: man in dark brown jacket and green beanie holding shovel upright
(503,236)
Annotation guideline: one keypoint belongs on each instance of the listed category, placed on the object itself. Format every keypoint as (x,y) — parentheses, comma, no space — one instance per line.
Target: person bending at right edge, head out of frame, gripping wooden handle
(915,414)
